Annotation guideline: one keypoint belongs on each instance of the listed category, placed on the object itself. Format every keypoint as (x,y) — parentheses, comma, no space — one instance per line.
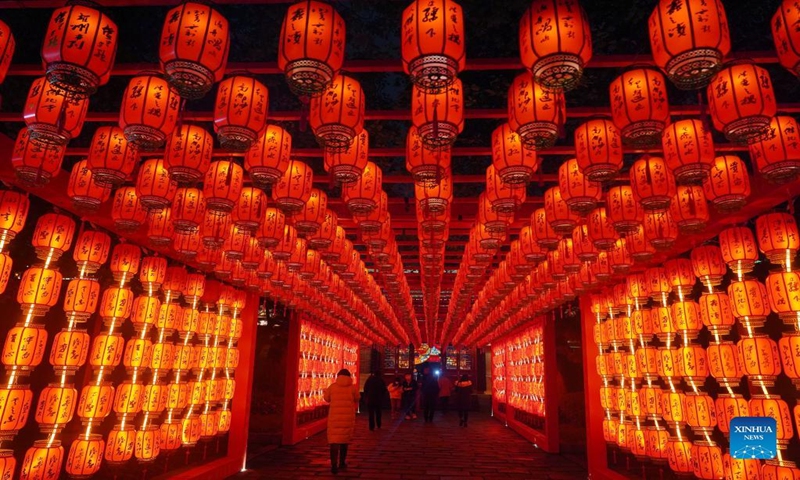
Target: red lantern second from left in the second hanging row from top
(149,111)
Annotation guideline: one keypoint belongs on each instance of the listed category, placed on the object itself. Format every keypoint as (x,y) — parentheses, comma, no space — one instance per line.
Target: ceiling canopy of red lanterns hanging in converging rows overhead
(423,170)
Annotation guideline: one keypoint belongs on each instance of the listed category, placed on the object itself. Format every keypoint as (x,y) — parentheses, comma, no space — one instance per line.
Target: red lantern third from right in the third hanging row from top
(598,150)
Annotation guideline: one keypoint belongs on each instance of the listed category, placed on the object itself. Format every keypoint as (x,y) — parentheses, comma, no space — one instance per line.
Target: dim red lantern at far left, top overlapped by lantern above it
(34,163)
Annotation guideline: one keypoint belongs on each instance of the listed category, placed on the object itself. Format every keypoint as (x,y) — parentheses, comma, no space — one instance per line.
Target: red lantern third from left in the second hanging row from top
(240,112)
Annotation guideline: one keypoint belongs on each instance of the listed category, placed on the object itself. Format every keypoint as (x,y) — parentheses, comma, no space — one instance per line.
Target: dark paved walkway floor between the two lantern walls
(486,450)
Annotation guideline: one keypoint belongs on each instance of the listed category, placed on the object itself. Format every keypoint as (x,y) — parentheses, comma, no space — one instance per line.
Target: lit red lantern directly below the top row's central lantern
(438,115)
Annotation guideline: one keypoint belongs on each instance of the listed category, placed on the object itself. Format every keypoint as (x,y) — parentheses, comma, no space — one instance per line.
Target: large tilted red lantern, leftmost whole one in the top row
(79,49)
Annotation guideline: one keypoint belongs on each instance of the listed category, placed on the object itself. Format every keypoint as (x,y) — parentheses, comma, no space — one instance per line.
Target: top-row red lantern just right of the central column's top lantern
(557,54)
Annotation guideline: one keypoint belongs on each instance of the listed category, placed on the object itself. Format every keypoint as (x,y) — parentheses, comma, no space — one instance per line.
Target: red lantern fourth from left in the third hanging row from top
(268,158)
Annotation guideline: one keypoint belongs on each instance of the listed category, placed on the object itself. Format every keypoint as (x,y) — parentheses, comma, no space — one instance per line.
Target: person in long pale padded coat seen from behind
(343,398)
